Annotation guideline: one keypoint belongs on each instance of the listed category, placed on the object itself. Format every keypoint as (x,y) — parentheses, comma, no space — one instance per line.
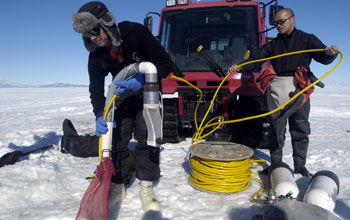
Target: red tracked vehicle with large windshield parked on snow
(228,31)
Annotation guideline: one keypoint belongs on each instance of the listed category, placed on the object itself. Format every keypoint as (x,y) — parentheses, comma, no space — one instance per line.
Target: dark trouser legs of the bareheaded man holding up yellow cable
(299,128)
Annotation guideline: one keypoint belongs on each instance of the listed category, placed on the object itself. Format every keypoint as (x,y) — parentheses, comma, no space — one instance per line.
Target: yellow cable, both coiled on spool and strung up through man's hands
(232,176)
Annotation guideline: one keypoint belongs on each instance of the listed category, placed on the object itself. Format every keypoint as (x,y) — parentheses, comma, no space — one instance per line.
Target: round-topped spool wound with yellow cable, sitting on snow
(222,167)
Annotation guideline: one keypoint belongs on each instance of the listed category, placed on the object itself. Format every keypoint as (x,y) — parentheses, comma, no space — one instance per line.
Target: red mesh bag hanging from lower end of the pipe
(94,204)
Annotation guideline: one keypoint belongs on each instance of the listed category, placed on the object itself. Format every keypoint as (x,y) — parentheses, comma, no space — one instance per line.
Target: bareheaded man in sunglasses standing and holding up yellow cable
(290,75)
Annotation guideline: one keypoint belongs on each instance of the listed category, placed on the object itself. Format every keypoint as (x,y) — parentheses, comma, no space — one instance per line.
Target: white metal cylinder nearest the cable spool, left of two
(282,181)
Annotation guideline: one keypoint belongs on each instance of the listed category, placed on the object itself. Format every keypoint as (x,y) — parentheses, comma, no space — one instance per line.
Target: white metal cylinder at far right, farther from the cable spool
(323,190)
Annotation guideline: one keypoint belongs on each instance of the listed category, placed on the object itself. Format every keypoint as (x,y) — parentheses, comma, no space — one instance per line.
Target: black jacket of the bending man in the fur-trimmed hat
(138,45)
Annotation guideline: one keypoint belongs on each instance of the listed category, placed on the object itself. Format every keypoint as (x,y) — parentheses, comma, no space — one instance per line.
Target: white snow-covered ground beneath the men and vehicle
(50,185)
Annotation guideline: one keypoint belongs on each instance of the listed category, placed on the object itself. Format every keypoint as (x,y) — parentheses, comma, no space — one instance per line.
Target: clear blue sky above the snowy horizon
(39,45)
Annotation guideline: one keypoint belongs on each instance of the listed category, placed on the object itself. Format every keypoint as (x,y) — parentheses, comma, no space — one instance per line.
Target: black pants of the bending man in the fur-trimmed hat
(129,119)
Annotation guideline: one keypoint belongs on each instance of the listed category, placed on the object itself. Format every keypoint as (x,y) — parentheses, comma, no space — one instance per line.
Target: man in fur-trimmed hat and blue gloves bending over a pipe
(112,47)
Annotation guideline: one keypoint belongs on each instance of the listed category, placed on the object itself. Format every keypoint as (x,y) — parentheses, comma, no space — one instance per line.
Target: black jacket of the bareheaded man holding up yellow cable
(295,41)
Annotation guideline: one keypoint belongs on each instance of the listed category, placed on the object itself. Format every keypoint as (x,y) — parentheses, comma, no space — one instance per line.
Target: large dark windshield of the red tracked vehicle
(225,33)
